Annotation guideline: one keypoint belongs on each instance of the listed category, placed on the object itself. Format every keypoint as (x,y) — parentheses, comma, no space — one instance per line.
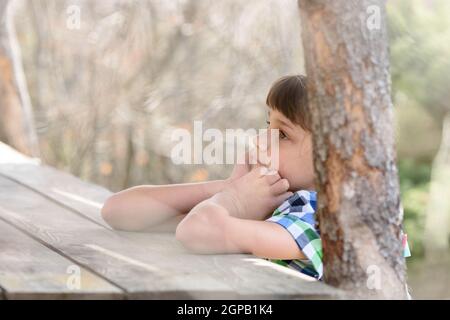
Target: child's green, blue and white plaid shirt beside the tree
(297,216)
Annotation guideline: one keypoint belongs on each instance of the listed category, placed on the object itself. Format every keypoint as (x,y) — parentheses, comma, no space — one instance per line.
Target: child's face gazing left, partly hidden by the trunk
(295,152)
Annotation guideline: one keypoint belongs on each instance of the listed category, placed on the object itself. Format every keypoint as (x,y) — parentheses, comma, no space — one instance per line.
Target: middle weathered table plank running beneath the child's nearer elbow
(162,268)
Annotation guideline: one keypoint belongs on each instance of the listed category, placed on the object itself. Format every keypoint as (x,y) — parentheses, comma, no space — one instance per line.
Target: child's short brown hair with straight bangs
(288,95)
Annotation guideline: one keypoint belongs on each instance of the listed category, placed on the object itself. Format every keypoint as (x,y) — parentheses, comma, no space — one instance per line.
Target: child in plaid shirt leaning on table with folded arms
(270,215)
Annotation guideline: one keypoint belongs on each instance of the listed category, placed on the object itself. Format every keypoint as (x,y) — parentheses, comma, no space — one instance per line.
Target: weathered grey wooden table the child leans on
(55,245)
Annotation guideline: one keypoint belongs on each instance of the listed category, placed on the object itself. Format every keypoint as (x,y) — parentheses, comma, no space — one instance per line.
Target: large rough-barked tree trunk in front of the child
(359,210)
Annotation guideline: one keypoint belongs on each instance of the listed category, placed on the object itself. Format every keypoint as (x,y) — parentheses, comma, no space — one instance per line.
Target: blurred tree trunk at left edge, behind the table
(16,118)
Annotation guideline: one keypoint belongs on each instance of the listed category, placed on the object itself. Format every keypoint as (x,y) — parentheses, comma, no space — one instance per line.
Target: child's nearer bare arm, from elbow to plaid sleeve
(210,229)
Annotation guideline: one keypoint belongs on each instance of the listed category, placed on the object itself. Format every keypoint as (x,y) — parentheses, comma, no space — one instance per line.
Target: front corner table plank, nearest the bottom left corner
(30,270)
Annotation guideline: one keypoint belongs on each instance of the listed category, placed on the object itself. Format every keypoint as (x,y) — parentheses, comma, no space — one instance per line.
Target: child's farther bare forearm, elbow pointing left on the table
(159,207)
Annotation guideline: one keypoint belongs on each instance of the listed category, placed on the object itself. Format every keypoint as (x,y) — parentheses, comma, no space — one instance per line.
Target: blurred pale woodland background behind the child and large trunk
(106,93)
